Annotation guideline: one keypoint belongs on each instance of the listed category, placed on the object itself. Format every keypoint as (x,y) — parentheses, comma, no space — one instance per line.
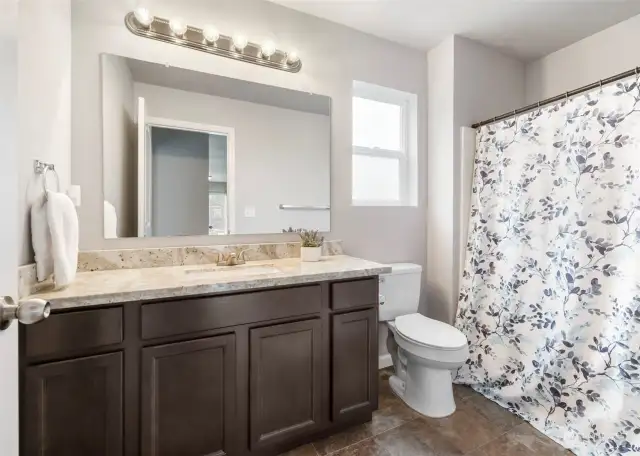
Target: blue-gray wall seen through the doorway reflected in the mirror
(180,167)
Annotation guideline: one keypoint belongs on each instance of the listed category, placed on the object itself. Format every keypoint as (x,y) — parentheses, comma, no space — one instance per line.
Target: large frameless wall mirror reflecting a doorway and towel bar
(190,153)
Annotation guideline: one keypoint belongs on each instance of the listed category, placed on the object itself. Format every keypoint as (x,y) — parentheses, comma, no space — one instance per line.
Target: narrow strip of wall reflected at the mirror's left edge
(119,142)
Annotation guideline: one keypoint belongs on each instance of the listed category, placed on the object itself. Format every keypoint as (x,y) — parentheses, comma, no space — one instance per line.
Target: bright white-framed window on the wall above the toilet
(384,146)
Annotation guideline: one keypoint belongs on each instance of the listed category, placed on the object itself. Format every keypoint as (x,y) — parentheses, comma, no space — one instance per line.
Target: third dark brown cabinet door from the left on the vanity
(285,381)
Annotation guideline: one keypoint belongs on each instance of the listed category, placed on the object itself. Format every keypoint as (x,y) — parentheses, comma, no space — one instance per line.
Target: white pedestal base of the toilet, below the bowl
(426,390)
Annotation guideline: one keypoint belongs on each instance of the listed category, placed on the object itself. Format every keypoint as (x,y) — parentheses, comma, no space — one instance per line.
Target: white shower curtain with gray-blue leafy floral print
(550,297)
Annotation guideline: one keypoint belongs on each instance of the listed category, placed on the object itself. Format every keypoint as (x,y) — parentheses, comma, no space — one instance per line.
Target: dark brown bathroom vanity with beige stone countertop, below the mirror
(236,364)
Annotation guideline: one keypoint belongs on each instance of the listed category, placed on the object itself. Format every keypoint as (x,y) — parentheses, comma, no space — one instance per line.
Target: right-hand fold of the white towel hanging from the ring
(63,226)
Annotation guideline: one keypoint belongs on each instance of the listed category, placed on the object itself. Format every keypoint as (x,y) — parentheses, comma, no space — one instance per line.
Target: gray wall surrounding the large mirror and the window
(332,55)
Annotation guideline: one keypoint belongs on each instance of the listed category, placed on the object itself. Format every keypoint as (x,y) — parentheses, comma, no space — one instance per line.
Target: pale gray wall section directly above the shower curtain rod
(604,54)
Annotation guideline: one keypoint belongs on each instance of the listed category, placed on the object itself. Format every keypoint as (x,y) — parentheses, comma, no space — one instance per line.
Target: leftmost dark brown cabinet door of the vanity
(74,407)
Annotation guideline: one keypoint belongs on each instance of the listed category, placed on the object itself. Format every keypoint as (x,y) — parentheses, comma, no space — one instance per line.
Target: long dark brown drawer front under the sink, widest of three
(202,314)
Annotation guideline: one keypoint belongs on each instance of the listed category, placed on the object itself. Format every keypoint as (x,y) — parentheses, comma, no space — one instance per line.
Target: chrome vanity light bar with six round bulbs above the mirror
(177,32)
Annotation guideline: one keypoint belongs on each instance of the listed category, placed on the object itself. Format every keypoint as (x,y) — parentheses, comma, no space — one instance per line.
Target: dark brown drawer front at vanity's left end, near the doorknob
(74,331)
